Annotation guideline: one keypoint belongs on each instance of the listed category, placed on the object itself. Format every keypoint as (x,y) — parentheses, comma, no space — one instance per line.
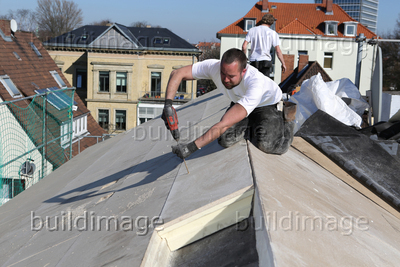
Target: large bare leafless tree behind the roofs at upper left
(55,17)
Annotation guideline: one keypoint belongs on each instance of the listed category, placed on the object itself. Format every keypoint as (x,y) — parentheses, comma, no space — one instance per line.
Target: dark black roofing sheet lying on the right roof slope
(364,158)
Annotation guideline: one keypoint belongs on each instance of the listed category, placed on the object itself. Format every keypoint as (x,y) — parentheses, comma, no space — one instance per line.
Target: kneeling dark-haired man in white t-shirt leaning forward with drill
(253,110)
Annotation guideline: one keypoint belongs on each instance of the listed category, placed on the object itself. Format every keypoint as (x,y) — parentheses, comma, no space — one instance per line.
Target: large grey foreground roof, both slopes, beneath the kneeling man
(130,178)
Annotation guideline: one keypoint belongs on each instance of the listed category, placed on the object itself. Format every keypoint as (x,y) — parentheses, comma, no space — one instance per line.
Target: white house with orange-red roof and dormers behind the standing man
(326,34)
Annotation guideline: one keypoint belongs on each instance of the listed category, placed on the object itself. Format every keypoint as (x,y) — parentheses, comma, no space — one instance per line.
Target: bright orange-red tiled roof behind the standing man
(298,19)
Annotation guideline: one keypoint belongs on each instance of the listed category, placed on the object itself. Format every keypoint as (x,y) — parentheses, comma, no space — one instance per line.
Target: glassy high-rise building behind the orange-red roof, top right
(364,11)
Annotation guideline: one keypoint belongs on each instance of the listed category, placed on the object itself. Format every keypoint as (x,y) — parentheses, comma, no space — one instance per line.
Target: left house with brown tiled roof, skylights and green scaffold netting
(43,123)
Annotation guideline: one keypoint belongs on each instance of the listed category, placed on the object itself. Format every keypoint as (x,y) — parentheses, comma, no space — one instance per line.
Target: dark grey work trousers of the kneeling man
(265,127)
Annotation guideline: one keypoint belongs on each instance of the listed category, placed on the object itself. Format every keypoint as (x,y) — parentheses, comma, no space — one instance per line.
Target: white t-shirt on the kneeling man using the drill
(255,89)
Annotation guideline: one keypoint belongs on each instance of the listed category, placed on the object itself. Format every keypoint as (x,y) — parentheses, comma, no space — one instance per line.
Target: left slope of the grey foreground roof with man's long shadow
(129,175)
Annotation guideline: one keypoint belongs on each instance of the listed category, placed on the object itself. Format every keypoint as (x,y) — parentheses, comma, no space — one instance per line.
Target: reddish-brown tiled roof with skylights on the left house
(32,70)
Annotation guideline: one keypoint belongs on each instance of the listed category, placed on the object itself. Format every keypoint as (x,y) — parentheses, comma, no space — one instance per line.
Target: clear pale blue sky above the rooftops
(196,21)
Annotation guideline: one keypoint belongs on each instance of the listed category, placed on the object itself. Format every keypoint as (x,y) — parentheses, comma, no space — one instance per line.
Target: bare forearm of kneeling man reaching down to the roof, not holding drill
(235,114)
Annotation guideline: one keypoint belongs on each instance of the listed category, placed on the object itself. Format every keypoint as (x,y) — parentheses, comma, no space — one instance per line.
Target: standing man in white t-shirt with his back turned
(262,38)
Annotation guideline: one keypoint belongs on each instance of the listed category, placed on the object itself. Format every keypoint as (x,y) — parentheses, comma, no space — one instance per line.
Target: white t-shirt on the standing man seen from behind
(262,38)
